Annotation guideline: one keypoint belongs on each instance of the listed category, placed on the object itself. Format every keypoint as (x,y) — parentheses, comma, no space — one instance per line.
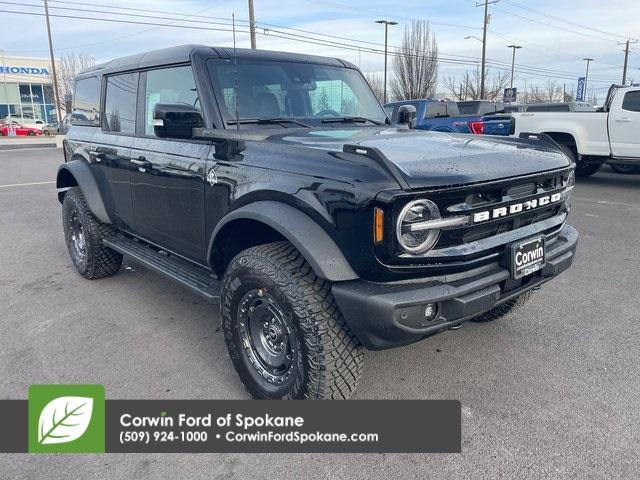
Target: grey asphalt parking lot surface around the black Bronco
(551,392)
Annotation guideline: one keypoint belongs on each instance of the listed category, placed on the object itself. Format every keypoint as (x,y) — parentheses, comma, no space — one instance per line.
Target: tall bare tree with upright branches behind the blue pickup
(415,64)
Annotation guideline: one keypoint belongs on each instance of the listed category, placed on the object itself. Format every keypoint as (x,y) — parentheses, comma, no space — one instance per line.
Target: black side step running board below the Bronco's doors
(196,278)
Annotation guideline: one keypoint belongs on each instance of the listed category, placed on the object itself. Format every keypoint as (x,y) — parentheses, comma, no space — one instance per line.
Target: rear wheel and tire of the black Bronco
(83,234)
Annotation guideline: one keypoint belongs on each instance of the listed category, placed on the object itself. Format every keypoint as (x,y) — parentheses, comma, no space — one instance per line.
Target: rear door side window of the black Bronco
(120,103)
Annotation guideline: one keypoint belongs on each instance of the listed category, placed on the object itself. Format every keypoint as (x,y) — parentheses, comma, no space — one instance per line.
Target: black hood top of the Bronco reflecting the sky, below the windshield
(436,159)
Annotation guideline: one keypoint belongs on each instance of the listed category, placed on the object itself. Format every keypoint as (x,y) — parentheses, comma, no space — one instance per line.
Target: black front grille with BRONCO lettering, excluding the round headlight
(480,240)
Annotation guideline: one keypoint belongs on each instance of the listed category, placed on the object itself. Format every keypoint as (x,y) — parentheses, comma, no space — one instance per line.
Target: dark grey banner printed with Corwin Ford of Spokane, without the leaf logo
(244,426)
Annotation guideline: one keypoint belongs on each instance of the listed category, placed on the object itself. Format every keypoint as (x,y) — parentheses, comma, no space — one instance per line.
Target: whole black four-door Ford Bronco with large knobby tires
(275,185)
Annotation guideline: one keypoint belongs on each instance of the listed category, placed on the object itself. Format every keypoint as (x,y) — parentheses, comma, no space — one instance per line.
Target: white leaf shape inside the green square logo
(64,419)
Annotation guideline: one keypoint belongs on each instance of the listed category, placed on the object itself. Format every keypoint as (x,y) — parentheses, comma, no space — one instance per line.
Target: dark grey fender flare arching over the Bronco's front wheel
(311,240)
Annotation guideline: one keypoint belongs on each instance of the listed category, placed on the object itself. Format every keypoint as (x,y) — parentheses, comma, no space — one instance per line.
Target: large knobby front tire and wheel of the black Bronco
(284,331)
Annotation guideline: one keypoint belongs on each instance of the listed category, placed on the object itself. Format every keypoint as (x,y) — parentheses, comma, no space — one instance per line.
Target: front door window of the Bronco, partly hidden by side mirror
(168,85)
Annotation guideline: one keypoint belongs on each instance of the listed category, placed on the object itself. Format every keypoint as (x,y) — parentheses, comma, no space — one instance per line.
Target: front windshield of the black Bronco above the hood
(310,93)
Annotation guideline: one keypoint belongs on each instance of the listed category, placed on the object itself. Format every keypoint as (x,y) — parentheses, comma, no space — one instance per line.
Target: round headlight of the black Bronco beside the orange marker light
(417,240)
